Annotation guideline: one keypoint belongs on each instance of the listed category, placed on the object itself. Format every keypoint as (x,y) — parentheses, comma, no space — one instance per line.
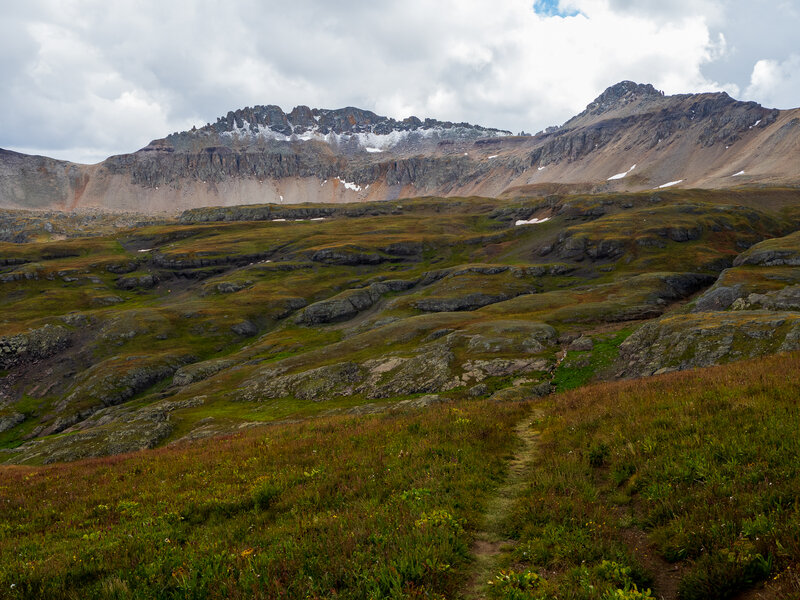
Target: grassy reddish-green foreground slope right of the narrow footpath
(697,468)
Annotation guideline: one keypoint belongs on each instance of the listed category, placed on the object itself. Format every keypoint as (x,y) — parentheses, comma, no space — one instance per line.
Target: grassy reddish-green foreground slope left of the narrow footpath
(340,507)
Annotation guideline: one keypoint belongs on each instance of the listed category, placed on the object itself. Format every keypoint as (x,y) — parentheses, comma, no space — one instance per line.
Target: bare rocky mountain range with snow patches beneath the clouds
(631,137)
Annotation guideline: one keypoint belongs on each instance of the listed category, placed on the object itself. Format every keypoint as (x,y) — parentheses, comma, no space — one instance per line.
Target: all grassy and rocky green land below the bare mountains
(408,400)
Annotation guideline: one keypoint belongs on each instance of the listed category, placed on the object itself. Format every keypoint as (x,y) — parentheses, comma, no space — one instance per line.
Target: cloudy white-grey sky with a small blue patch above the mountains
(85,79)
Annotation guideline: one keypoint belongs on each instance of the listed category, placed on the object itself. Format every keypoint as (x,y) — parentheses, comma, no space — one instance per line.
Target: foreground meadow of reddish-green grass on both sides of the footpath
(679,486)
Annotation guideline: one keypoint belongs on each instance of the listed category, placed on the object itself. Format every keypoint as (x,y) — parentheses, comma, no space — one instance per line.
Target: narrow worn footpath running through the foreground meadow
(489,540)
